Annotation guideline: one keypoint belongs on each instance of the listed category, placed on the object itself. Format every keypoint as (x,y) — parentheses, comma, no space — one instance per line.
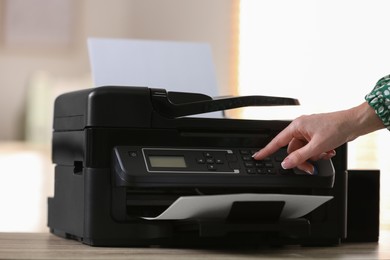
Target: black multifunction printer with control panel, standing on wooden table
(124,155)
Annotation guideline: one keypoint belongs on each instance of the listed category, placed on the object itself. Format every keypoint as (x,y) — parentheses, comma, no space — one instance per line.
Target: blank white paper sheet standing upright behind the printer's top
(170,65)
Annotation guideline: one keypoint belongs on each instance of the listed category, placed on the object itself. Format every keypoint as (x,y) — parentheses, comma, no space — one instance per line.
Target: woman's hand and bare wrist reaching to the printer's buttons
(316,136)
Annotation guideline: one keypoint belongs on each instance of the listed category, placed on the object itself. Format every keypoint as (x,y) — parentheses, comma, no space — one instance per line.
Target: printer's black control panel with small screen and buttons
(157,160)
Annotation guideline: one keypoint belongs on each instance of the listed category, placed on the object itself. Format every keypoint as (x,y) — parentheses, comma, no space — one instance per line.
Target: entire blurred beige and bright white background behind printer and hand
(328,54)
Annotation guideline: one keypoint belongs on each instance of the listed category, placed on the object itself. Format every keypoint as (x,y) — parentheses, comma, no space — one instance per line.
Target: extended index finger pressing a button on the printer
(279,141)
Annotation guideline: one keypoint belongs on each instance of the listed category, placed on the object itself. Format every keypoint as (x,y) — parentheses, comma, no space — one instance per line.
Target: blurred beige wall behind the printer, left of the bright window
(182,20)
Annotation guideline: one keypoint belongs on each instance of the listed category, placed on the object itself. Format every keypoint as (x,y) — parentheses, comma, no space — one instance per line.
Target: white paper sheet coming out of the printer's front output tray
(218,206)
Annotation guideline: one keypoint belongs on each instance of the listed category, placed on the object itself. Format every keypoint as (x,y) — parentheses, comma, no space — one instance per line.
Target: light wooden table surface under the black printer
(48,246)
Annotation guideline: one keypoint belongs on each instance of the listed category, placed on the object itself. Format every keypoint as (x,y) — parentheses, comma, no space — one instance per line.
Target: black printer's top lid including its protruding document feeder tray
(122,106)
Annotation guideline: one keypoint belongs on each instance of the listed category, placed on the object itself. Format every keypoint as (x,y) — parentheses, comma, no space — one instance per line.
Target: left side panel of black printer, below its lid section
(66,208)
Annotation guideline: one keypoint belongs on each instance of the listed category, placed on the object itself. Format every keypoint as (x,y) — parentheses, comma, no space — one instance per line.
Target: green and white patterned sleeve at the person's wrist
(379,99)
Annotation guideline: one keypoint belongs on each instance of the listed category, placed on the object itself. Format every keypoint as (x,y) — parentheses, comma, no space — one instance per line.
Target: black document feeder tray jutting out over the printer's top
(178,104)
